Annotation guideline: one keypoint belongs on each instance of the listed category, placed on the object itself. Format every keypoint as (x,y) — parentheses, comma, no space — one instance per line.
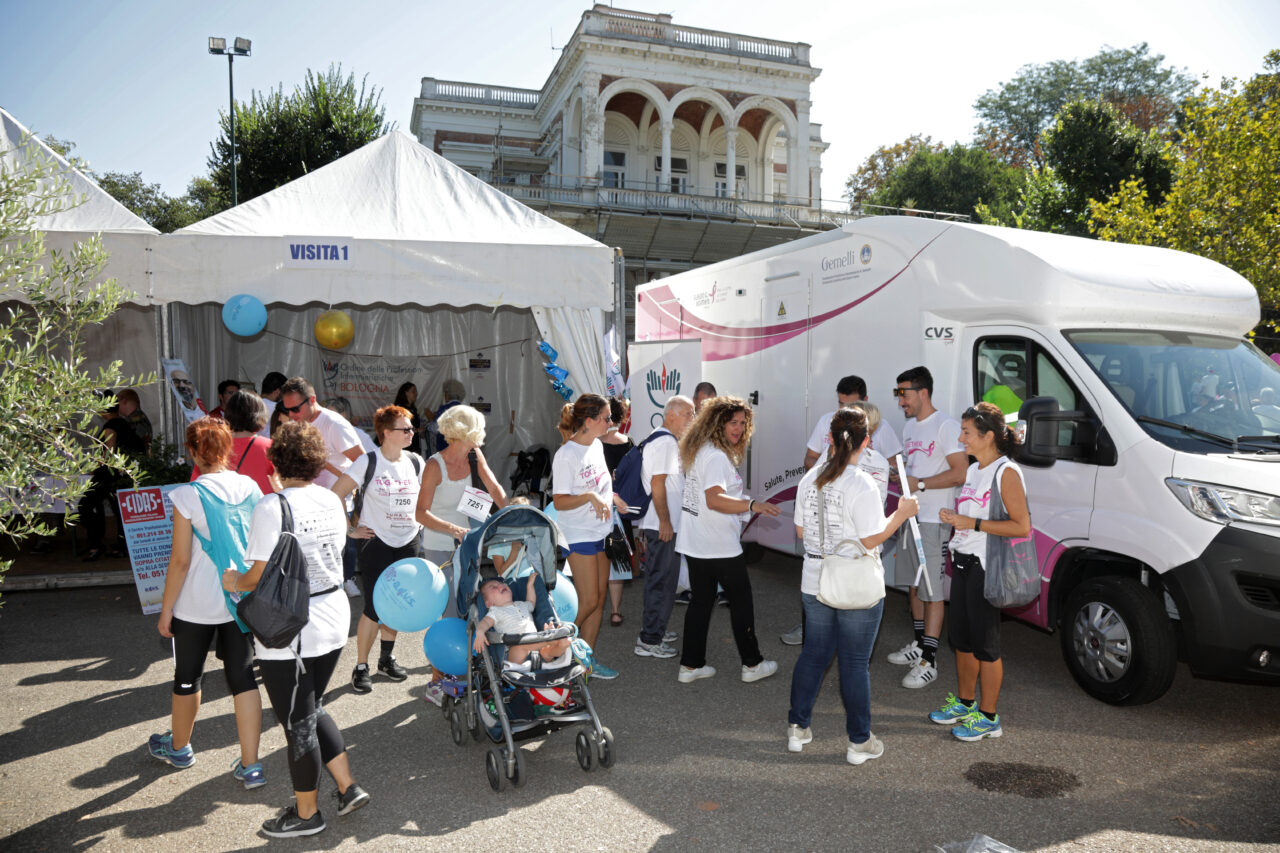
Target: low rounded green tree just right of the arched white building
(956,180)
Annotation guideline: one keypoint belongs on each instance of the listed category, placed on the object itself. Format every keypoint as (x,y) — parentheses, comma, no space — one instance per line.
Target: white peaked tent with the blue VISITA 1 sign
(427,259)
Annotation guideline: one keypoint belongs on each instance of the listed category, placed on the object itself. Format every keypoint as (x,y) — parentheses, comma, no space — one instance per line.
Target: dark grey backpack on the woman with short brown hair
(281,605)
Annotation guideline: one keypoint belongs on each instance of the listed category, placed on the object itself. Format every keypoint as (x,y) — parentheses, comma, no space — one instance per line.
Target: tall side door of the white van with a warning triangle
(781,370)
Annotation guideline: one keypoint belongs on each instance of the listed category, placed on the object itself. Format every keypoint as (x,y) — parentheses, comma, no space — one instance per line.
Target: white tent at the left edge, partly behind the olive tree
(84,211)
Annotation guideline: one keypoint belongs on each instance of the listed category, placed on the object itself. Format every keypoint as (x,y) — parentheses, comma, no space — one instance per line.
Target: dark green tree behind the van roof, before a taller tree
(1089,152)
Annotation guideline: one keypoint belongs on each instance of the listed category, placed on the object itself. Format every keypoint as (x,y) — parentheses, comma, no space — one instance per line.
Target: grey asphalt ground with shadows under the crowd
(85,678)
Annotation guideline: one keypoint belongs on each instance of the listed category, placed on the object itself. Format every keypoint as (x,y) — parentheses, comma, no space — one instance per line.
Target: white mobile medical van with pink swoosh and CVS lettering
(1153,453)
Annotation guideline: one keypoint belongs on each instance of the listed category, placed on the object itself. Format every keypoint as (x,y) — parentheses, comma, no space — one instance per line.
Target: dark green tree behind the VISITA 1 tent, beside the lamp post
(281,138)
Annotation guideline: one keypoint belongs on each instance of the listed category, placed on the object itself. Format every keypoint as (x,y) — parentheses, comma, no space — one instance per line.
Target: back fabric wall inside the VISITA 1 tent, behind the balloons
(441,336)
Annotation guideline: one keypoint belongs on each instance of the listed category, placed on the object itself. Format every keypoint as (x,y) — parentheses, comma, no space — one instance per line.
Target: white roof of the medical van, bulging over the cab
(972,273)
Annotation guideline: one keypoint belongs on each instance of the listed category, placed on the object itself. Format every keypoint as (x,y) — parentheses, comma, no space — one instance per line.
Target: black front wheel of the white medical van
(1118,642)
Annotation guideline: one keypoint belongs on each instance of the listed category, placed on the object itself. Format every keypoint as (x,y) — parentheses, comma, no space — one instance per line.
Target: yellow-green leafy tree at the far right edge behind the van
(1226,198)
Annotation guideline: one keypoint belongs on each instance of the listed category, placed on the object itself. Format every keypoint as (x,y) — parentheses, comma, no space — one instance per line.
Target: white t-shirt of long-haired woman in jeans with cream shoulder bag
(854,512)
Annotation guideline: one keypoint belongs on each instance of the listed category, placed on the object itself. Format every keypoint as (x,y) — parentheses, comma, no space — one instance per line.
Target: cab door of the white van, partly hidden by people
(1009,368)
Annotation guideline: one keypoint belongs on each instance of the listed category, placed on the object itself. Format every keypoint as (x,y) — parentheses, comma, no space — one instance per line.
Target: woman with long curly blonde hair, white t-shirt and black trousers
(712,513)
